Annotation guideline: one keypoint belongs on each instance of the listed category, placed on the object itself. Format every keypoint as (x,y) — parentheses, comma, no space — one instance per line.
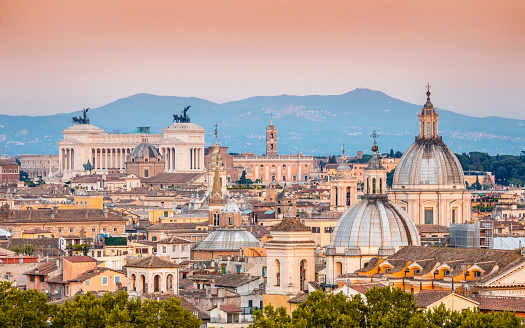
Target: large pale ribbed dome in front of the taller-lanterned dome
(374,221)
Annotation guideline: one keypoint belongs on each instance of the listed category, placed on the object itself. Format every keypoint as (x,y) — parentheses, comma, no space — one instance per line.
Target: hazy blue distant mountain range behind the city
(316,125)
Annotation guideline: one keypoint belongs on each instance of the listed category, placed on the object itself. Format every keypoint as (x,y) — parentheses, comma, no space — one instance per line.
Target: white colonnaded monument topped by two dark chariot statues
(180,144)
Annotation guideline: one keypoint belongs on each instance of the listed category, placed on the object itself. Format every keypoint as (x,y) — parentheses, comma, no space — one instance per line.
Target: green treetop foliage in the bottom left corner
(30,309)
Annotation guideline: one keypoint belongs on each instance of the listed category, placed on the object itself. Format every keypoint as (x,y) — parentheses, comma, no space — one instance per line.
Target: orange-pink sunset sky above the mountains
(61,56)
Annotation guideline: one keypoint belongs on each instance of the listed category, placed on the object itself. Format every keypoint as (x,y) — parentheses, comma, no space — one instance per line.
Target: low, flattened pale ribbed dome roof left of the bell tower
(228,239)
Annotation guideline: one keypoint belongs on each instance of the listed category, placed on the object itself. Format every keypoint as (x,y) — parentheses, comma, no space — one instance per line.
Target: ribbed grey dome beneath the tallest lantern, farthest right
(428,162)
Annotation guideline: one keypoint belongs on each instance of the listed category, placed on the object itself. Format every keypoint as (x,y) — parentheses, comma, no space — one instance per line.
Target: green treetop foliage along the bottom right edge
(384,307)
